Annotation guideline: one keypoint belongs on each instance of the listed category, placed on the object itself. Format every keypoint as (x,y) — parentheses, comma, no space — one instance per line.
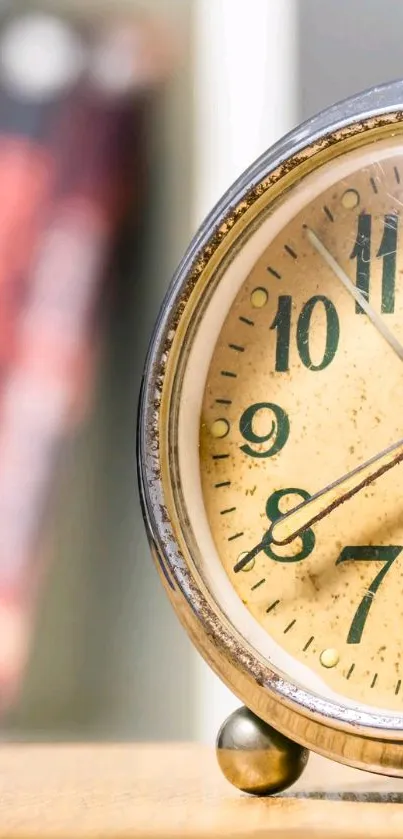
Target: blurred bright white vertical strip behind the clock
(244,100)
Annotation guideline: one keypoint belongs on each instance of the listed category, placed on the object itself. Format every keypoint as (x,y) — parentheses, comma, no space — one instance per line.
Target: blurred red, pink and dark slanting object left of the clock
(72,99)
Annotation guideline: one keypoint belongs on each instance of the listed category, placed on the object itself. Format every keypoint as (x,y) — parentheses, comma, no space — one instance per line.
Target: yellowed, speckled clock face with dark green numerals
(302,387)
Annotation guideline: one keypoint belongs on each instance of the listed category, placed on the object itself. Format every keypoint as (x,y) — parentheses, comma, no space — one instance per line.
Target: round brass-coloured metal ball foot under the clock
(255,758)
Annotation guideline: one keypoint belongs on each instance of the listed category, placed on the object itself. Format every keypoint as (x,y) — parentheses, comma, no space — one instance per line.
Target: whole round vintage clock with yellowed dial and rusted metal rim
(270,435)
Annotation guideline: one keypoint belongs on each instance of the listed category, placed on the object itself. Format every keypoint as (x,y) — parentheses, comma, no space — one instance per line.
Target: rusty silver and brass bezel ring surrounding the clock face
(372,741)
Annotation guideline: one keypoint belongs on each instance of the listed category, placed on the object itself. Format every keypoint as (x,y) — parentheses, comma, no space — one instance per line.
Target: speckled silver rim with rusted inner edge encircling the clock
(371,109)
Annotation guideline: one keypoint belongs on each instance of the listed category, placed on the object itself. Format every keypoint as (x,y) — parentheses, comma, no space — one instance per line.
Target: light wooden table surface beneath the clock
(177,791)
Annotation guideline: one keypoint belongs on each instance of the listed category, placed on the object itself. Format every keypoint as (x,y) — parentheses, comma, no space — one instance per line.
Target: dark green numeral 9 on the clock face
(277,435)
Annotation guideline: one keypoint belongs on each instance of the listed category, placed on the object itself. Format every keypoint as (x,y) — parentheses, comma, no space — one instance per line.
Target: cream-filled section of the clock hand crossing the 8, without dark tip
(286,528)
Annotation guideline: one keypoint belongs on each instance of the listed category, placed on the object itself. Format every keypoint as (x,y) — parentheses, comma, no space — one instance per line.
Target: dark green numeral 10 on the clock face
(282,325)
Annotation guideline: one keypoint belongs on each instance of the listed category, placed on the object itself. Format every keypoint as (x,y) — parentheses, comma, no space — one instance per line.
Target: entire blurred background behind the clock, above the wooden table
(120,127)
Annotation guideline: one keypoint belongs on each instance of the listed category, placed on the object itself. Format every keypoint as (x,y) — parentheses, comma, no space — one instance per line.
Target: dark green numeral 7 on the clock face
(367,553)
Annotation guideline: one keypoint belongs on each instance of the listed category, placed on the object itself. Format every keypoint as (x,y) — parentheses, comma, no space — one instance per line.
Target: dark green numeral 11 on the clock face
(387,252)
